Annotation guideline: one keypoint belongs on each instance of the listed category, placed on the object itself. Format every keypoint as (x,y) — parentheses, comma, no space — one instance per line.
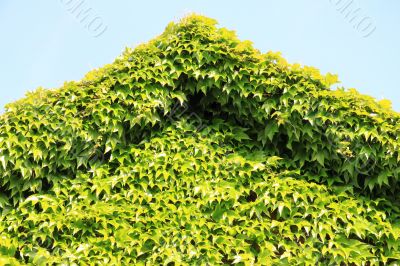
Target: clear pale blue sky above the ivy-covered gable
(45,42)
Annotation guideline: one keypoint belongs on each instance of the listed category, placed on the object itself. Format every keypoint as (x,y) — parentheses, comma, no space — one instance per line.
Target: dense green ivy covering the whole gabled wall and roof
(195,148)
